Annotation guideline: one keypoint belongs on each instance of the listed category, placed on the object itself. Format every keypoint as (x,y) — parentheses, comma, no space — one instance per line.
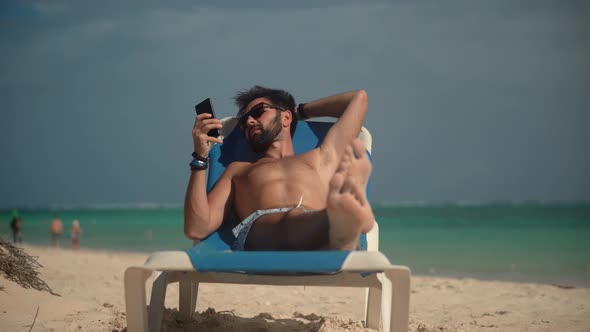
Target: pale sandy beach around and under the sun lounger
(91,287)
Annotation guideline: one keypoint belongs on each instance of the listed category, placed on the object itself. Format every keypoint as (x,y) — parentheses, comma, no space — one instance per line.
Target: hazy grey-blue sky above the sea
(468,100)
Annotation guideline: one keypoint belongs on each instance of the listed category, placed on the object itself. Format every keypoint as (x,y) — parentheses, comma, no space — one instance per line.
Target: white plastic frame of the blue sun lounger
(387,295)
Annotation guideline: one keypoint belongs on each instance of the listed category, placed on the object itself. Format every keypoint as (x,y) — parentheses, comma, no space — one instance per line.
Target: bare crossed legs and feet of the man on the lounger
(338,227)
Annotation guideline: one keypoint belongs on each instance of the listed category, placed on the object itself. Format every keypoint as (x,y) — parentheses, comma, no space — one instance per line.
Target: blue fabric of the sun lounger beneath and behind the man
(214,253)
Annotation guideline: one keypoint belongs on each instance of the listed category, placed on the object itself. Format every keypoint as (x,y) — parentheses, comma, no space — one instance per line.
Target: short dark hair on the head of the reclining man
(280,98)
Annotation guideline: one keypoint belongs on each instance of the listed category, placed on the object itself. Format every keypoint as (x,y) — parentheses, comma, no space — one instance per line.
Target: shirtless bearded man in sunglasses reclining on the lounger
(315,200)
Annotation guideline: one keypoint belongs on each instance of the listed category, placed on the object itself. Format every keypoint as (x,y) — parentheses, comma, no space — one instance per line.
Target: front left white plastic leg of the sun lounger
(135,301)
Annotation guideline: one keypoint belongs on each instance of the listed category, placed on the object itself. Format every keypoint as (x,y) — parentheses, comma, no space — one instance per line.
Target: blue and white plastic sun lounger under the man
(212,261)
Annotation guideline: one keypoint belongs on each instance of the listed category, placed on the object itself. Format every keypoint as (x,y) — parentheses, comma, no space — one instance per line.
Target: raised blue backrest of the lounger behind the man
(308,136)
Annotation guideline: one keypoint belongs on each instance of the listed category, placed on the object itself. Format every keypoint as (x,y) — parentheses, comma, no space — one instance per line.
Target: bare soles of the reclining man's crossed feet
(349,212)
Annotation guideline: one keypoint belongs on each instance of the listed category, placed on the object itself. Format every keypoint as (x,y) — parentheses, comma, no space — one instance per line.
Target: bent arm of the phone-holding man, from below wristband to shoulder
(204,213)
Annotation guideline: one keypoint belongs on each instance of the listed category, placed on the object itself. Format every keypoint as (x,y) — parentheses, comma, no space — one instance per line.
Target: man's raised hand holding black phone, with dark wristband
(205,131)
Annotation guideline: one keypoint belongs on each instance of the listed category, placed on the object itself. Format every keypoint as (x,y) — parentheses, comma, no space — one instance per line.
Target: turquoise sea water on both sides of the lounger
(547,243)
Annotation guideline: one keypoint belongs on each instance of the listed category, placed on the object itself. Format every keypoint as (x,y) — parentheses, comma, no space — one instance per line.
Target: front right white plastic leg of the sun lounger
(395,300)
